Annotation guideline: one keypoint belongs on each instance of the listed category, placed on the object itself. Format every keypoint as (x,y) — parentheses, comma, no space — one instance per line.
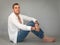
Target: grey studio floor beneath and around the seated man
(30,40)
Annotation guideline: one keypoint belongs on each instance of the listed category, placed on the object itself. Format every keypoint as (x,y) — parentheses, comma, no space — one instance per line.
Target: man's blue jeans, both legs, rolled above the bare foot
(22,33)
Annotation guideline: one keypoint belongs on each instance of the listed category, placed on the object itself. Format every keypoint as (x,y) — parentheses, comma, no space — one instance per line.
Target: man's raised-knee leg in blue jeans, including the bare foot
(40,34)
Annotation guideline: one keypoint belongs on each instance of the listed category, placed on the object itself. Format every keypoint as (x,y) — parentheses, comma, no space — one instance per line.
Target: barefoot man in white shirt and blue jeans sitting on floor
(17,30)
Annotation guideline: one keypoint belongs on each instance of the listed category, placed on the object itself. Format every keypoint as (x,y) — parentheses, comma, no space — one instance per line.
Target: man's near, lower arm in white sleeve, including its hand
(20,26)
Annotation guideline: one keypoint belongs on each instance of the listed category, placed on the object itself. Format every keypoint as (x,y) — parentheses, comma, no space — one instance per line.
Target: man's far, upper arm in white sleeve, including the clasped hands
(37,28)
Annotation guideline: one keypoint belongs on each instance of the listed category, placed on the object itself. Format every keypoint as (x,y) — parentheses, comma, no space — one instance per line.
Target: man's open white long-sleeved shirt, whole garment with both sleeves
(14,26)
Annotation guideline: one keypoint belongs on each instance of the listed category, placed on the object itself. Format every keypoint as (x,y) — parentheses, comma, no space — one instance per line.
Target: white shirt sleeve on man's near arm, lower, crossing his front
(20,26)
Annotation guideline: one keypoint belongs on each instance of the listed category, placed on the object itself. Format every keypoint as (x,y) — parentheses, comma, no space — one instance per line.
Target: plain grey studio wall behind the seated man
(46,11)
